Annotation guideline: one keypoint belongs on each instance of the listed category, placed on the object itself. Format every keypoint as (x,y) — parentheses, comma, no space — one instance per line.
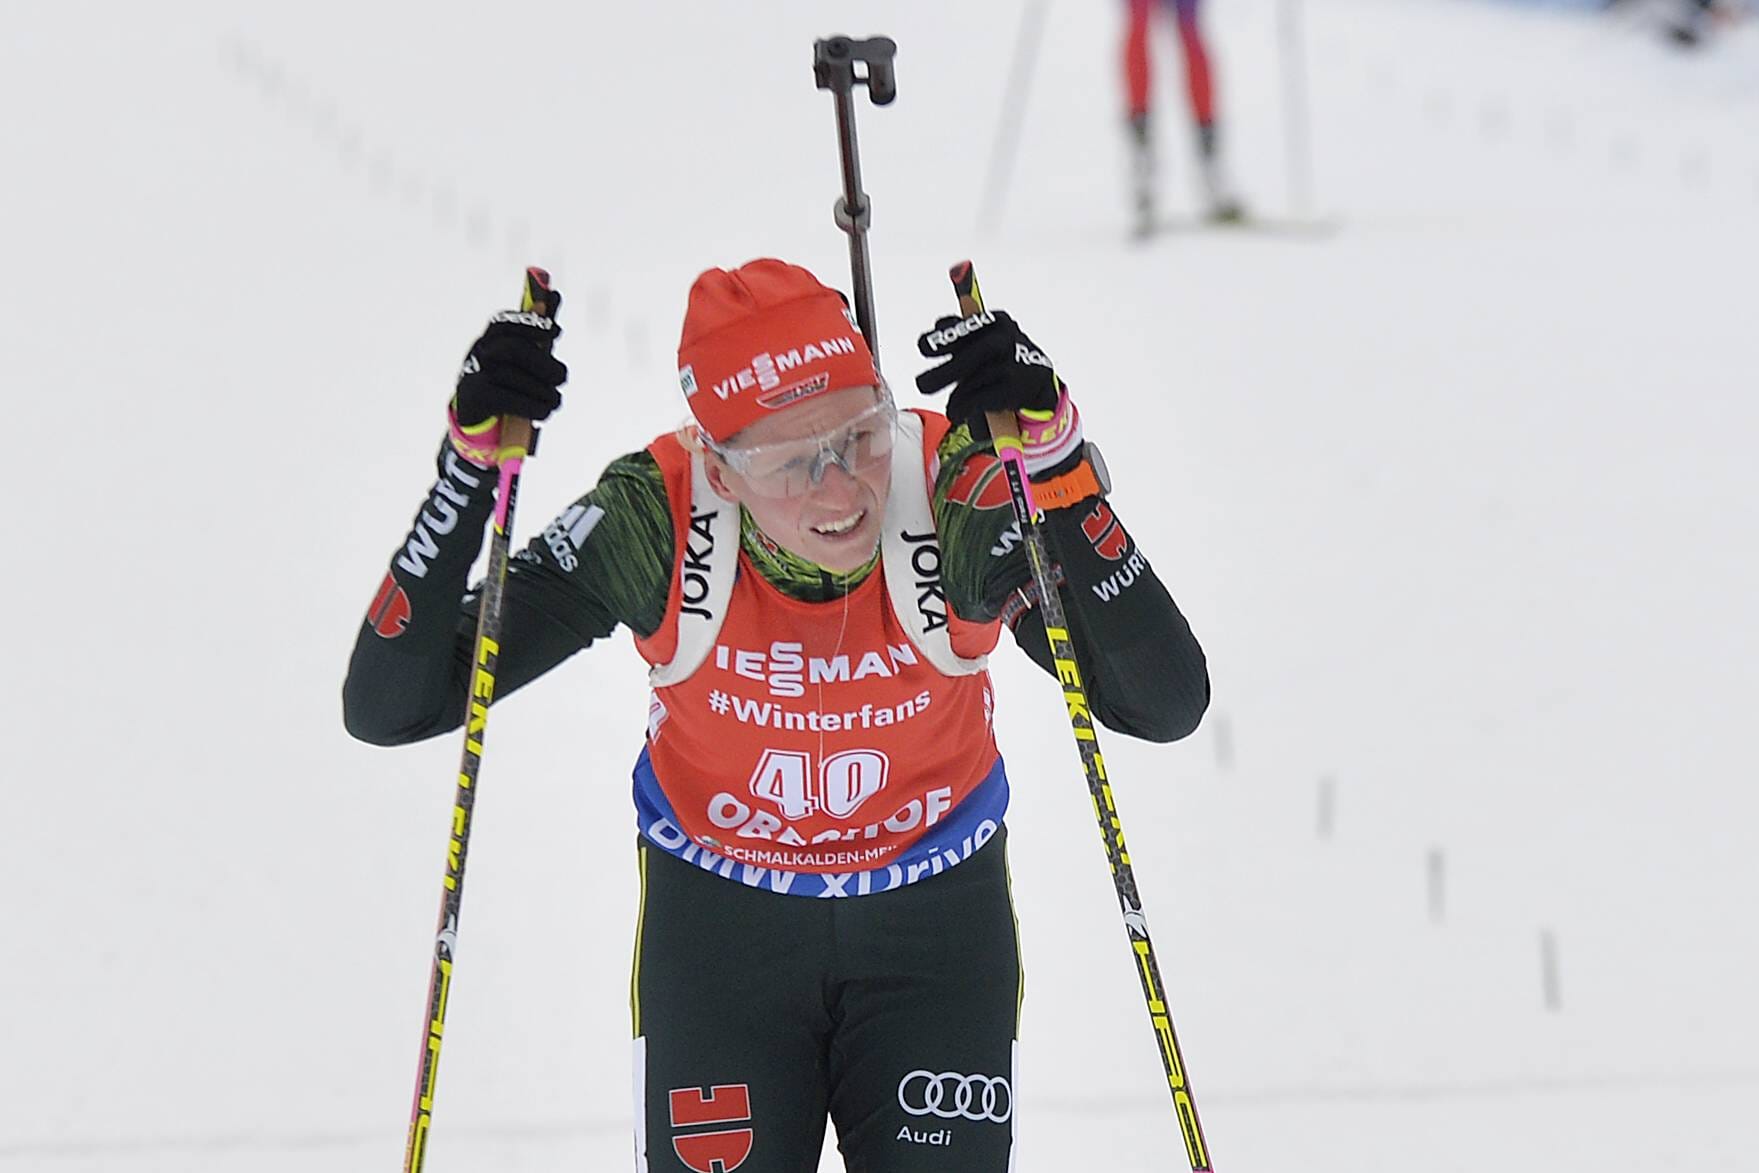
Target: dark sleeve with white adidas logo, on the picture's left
(409,676)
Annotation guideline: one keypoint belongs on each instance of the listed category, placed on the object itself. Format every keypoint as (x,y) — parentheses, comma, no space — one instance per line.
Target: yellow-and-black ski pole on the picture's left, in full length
(518,442)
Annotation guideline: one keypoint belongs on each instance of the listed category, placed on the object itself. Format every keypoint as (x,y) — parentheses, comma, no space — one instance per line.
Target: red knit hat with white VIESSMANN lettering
(761,339)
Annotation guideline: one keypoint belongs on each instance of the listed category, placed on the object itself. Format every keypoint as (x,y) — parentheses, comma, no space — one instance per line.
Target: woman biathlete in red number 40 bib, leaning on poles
(815,579)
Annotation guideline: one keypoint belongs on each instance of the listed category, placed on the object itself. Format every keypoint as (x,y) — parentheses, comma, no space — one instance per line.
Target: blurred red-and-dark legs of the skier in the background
(1223,203)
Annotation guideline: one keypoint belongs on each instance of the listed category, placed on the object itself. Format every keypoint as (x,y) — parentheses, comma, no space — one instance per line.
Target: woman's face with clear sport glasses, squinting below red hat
(833,520)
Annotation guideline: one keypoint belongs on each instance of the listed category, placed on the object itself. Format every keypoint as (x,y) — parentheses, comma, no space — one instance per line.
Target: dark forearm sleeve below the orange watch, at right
(1146,674)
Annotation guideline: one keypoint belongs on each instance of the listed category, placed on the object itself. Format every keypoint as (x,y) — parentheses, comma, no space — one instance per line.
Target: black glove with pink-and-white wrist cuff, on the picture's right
(993,367)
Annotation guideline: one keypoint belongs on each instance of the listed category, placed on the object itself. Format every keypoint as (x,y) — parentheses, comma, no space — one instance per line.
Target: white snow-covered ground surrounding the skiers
(1461,500)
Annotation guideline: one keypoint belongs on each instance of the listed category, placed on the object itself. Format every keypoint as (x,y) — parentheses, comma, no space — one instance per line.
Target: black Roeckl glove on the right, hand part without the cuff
(991,365)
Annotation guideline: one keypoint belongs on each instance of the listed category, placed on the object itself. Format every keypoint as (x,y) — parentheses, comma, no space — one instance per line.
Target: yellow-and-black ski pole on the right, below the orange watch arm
(1005,432)
